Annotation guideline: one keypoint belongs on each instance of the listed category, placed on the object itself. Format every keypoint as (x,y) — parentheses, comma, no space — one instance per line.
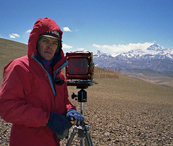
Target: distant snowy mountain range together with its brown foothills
(154,64)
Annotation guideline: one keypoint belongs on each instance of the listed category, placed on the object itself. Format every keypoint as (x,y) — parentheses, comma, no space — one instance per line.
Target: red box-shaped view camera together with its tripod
(79,73)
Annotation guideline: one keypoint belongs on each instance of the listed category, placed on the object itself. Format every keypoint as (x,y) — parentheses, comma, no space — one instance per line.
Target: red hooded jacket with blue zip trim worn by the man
(28,95)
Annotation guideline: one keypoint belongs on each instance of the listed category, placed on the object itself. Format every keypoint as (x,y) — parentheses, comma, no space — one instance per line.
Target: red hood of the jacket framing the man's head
(41,26)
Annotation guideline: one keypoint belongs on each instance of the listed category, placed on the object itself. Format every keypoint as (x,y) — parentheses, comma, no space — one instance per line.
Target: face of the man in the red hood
(47,47)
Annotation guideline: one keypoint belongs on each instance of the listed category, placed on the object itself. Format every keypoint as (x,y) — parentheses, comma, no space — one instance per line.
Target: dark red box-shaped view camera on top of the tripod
(80,69)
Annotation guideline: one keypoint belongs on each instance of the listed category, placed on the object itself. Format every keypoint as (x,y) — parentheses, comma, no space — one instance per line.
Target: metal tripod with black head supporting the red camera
(83,131)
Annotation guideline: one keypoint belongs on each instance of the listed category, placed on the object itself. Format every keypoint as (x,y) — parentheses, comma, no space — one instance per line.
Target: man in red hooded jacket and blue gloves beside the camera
(33,93)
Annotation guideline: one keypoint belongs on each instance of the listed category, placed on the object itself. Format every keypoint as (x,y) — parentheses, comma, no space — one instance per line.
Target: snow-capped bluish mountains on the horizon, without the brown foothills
(154,57)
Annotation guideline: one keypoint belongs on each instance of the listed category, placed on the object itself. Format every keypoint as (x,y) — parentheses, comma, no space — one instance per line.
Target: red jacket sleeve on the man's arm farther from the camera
(13,106)
